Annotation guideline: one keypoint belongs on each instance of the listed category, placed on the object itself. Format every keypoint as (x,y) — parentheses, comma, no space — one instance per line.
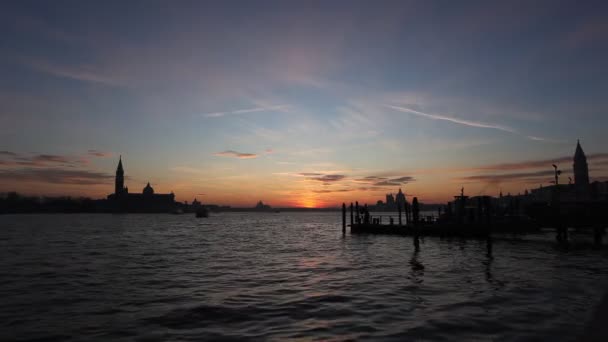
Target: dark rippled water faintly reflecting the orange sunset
(281,276)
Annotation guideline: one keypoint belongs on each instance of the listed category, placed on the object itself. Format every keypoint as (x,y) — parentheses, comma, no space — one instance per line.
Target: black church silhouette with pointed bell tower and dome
(146,202)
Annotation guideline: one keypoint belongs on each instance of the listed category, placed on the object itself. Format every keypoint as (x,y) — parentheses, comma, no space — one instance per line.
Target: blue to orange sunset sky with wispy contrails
(300,103)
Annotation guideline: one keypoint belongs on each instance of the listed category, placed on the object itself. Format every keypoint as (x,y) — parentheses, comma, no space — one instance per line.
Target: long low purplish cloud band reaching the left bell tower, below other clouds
(56,176)
